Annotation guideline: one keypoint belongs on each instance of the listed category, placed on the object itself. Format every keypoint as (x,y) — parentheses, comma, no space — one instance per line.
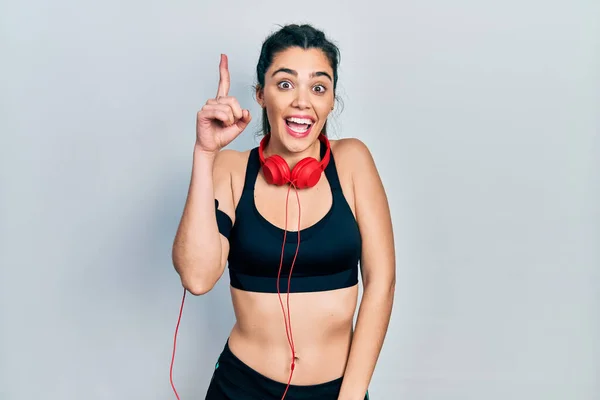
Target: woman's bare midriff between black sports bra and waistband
(321,328)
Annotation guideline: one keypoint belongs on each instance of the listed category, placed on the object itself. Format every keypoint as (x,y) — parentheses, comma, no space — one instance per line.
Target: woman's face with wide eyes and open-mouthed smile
(298,96)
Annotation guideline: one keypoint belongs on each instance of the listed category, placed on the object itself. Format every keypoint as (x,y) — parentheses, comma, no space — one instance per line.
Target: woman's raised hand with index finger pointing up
(221,119)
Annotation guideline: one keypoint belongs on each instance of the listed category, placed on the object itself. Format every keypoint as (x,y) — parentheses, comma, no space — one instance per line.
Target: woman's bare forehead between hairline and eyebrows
(304,61)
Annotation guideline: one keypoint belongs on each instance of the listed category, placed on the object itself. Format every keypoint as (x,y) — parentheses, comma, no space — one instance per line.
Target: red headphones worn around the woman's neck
(304,175)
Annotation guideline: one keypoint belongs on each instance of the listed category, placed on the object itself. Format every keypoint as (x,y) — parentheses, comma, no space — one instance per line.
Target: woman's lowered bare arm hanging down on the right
(378,268)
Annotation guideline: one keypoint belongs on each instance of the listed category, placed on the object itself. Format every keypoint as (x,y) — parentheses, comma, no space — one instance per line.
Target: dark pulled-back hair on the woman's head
(304,36)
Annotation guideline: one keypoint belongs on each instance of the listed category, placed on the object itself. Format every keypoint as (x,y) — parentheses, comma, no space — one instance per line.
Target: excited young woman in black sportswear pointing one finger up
(293,218)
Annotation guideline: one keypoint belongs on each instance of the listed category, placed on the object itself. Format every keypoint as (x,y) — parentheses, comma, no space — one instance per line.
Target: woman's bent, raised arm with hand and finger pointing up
(201,247)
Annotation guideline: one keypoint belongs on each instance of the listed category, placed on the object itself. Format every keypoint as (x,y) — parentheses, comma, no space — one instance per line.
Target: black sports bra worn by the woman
(329,250)
